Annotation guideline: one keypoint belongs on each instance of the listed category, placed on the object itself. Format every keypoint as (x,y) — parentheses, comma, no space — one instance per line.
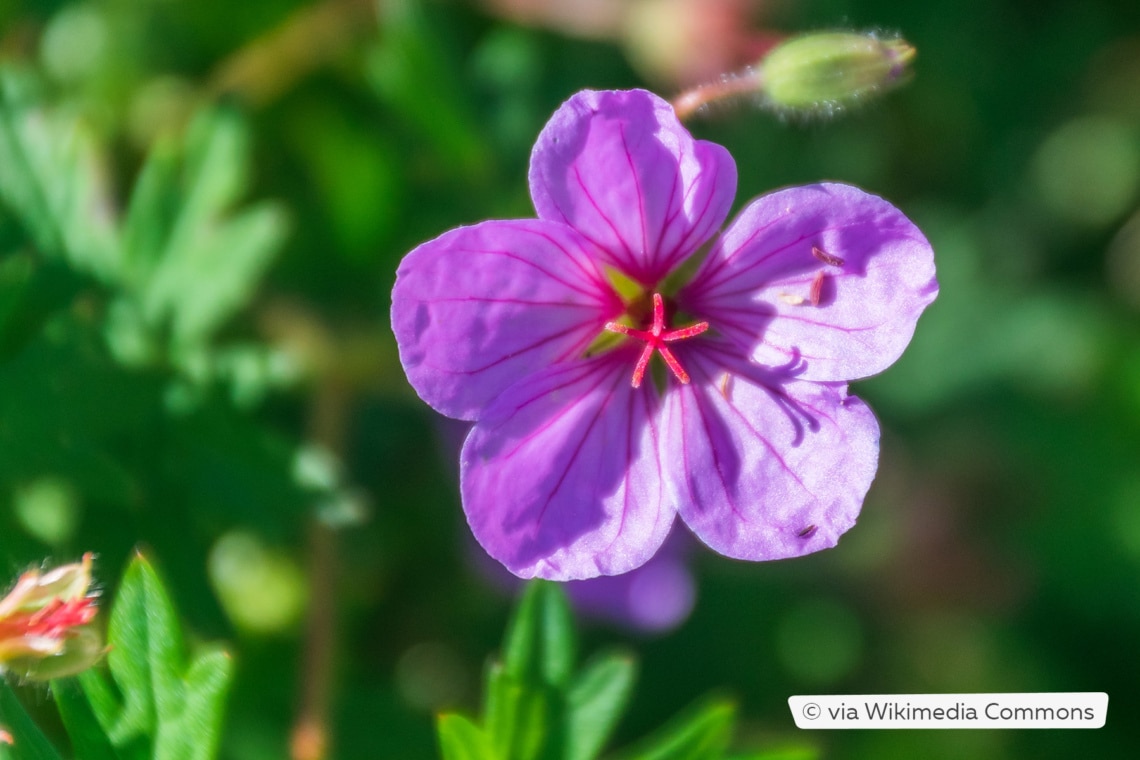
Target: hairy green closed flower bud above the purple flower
(824,73)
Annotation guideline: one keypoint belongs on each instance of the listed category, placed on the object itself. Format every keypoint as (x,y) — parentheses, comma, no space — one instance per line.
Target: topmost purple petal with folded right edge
(620,168)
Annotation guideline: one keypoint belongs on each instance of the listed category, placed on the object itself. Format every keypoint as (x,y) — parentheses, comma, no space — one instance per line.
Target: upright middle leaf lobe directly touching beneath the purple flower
(541,644)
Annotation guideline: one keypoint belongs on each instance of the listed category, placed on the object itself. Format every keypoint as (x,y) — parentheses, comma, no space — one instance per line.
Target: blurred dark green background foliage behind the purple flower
(196,355)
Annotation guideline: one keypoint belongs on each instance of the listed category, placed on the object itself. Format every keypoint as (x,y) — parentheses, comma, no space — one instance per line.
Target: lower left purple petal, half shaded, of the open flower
(561,478)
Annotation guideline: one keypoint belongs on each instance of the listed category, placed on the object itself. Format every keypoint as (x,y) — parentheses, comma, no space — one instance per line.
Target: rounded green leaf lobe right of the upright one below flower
(596,702)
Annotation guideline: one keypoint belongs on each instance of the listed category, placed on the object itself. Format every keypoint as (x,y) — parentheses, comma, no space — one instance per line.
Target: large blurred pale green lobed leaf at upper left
(184,261)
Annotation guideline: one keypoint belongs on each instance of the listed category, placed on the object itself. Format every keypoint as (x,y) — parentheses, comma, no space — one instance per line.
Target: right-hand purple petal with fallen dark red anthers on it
(826,277)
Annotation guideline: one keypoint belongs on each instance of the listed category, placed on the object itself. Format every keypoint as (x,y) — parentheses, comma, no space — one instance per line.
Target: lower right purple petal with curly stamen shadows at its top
(766,470)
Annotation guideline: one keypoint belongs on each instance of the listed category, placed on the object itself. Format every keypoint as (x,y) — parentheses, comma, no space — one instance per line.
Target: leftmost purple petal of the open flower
(481,307)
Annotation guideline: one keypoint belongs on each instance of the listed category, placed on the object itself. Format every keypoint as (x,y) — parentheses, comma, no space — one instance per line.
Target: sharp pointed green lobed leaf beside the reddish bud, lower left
(174,708)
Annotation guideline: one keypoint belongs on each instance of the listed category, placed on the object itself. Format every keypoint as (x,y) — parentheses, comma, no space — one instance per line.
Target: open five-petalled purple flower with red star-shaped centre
(542,332)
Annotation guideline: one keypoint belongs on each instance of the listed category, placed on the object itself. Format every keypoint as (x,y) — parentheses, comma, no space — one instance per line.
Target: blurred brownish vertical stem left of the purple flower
(311,739)
